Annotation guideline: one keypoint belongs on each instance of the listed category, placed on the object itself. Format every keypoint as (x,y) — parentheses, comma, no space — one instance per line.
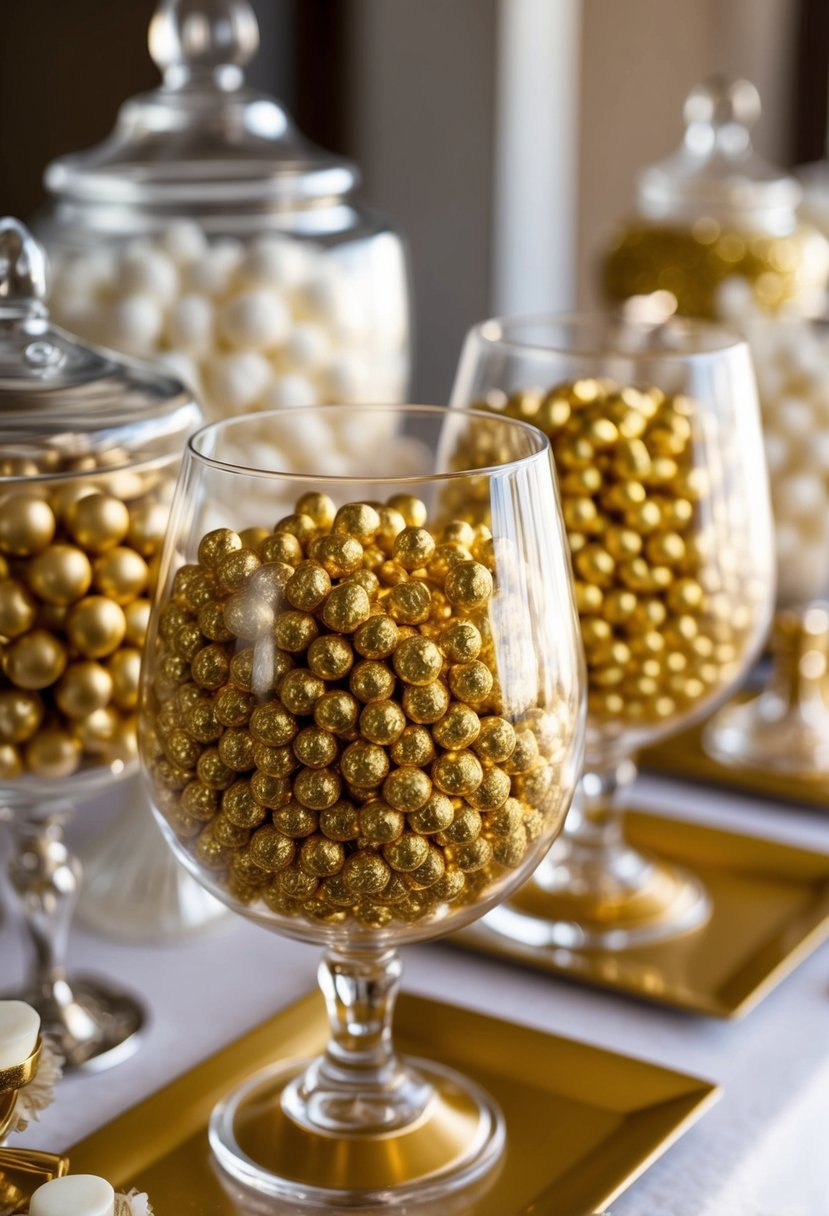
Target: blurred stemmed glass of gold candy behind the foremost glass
(657,442)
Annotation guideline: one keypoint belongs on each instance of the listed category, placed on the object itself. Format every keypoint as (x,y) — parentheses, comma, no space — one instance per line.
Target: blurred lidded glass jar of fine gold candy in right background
(717,229)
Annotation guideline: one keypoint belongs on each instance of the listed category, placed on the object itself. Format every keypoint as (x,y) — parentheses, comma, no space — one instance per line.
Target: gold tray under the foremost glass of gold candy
(582,1123)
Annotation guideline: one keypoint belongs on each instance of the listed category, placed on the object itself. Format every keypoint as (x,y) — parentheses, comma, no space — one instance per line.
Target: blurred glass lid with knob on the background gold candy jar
(718,172)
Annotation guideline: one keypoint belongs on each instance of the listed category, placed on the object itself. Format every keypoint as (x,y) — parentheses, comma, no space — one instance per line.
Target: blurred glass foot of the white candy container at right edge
(774,735)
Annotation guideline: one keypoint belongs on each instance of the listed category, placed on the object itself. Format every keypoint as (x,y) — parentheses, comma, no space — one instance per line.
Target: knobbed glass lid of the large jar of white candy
(202,138)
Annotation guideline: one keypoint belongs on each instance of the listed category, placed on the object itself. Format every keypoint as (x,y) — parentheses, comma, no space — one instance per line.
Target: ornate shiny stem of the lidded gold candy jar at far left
(46,877)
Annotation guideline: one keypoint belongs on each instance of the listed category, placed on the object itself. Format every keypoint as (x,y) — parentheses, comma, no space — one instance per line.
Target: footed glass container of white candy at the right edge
(787,728)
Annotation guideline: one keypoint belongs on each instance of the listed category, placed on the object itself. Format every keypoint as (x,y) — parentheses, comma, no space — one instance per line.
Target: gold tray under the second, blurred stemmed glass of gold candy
(770,910)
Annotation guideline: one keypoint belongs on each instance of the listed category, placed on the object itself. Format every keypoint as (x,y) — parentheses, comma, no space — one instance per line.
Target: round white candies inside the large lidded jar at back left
(270,323)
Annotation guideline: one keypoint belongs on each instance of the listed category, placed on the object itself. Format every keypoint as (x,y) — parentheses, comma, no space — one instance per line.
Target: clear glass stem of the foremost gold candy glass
(359,1084)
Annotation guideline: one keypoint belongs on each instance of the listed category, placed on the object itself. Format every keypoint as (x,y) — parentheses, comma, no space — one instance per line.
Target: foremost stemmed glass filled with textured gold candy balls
(362,727)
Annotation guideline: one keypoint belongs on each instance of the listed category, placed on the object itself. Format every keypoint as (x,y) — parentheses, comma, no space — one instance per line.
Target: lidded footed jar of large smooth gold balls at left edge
(89,453)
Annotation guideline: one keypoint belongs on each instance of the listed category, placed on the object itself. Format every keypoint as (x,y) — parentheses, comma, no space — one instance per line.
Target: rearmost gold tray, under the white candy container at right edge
(684,756)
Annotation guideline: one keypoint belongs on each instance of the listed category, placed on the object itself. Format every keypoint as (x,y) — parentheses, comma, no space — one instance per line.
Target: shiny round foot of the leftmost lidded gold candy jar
(94,1024)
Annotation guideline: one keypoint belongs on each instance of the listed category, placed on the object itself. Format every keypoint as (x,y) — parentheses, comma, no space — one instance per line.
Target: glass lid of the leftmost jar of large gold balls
(63,401)
